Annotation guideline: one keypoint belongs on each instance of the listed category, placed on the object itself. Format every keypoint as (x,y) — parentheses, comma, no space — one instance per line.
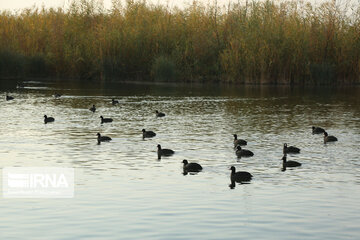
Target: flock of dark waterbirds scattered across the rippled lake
(239,177)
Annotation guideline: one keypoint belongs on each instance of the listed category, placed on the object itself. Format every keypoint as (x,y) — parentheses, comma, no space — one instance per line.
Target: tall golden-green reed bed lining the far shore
(258,42)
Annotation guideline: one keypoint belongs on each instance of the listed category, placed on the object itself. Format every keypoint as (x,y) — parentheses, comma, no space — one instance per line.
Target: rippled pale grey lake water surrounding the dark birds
(122,191)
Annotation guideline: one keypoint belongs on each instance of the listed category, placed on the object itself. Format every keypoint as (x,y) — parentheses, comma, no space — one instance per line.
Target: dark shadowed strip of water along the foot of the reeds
(61,85)
